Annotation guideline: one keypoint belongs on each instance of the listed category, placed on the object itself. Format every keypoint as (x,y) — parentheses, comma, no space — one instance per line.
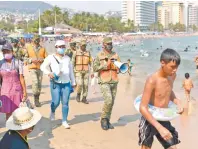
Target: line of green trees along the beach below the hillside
(86,21)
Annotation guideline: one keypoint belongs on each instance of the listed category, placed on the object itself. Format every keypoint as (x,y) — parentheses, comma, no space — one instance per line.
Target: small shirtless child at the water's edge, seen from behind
(187,85)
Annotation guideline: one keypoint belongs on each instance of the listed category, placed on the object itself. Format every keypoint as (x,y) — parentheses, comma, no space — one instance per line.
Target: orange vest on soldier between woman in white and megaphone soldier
(82,61)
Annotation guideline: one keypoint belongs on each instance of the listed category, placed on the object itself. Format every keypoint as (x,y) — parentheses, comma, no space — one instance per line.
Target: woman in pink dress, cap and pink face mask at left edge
(13,88)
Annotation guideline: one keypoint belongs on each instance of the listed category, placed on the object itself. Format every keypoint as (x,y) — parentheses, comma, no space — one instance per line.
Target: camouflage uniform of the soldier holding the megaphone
(108,89)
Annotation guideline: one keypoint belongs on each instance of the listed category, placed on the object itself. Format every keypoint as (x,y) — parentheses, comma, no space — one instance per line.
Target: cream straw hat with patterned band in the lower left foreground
(23,118)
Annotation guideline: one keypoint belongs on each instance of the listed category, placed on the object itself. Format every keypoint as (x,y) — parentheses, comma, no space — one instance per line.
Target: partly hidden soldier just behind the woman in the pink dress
(17,50)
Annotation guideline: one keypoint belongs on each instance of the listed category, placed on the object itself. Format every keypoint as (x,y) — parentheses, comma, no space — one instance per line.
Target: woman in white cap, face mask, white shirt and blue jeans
(59,68)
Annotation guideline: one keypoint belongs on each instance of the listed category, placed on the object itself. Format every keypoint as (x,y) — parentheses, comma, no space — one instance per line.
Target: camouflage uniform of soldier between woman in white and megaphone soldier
(82,79)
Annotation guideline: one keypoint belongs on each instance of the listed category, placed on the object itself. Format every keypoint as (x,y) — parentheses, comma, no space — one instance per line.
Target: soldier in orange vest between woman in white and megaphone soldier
(81,61)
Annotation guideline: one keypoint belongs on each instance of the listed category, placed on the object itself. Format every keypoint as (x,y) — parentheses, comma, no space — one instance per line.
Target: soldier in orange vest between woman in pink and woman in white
(34,57)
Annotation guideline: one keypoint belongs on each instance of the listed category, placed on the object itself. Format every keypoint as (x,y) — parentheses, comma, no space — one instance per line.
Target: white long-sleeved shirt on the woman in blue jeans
(64,69)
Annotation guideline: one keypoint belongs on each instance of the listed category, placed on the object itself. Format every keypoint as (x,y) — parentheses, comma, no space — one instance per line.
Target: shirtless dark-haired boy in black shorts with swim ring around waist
(158,92)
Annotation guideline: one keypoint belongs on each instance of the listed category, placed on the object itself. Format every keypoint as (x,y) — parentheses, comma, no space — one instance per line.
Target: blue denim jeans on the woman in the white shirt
(60,92)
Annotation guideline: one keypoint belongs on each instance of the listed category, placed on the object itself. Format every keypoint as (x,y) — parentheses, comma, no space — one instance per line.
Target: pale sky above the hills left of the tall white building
(92,6)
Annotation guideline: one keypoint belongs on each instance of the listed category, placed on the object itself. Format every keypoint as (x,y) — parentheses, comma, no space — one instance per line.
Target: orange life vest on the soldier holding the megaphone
(110,74)
